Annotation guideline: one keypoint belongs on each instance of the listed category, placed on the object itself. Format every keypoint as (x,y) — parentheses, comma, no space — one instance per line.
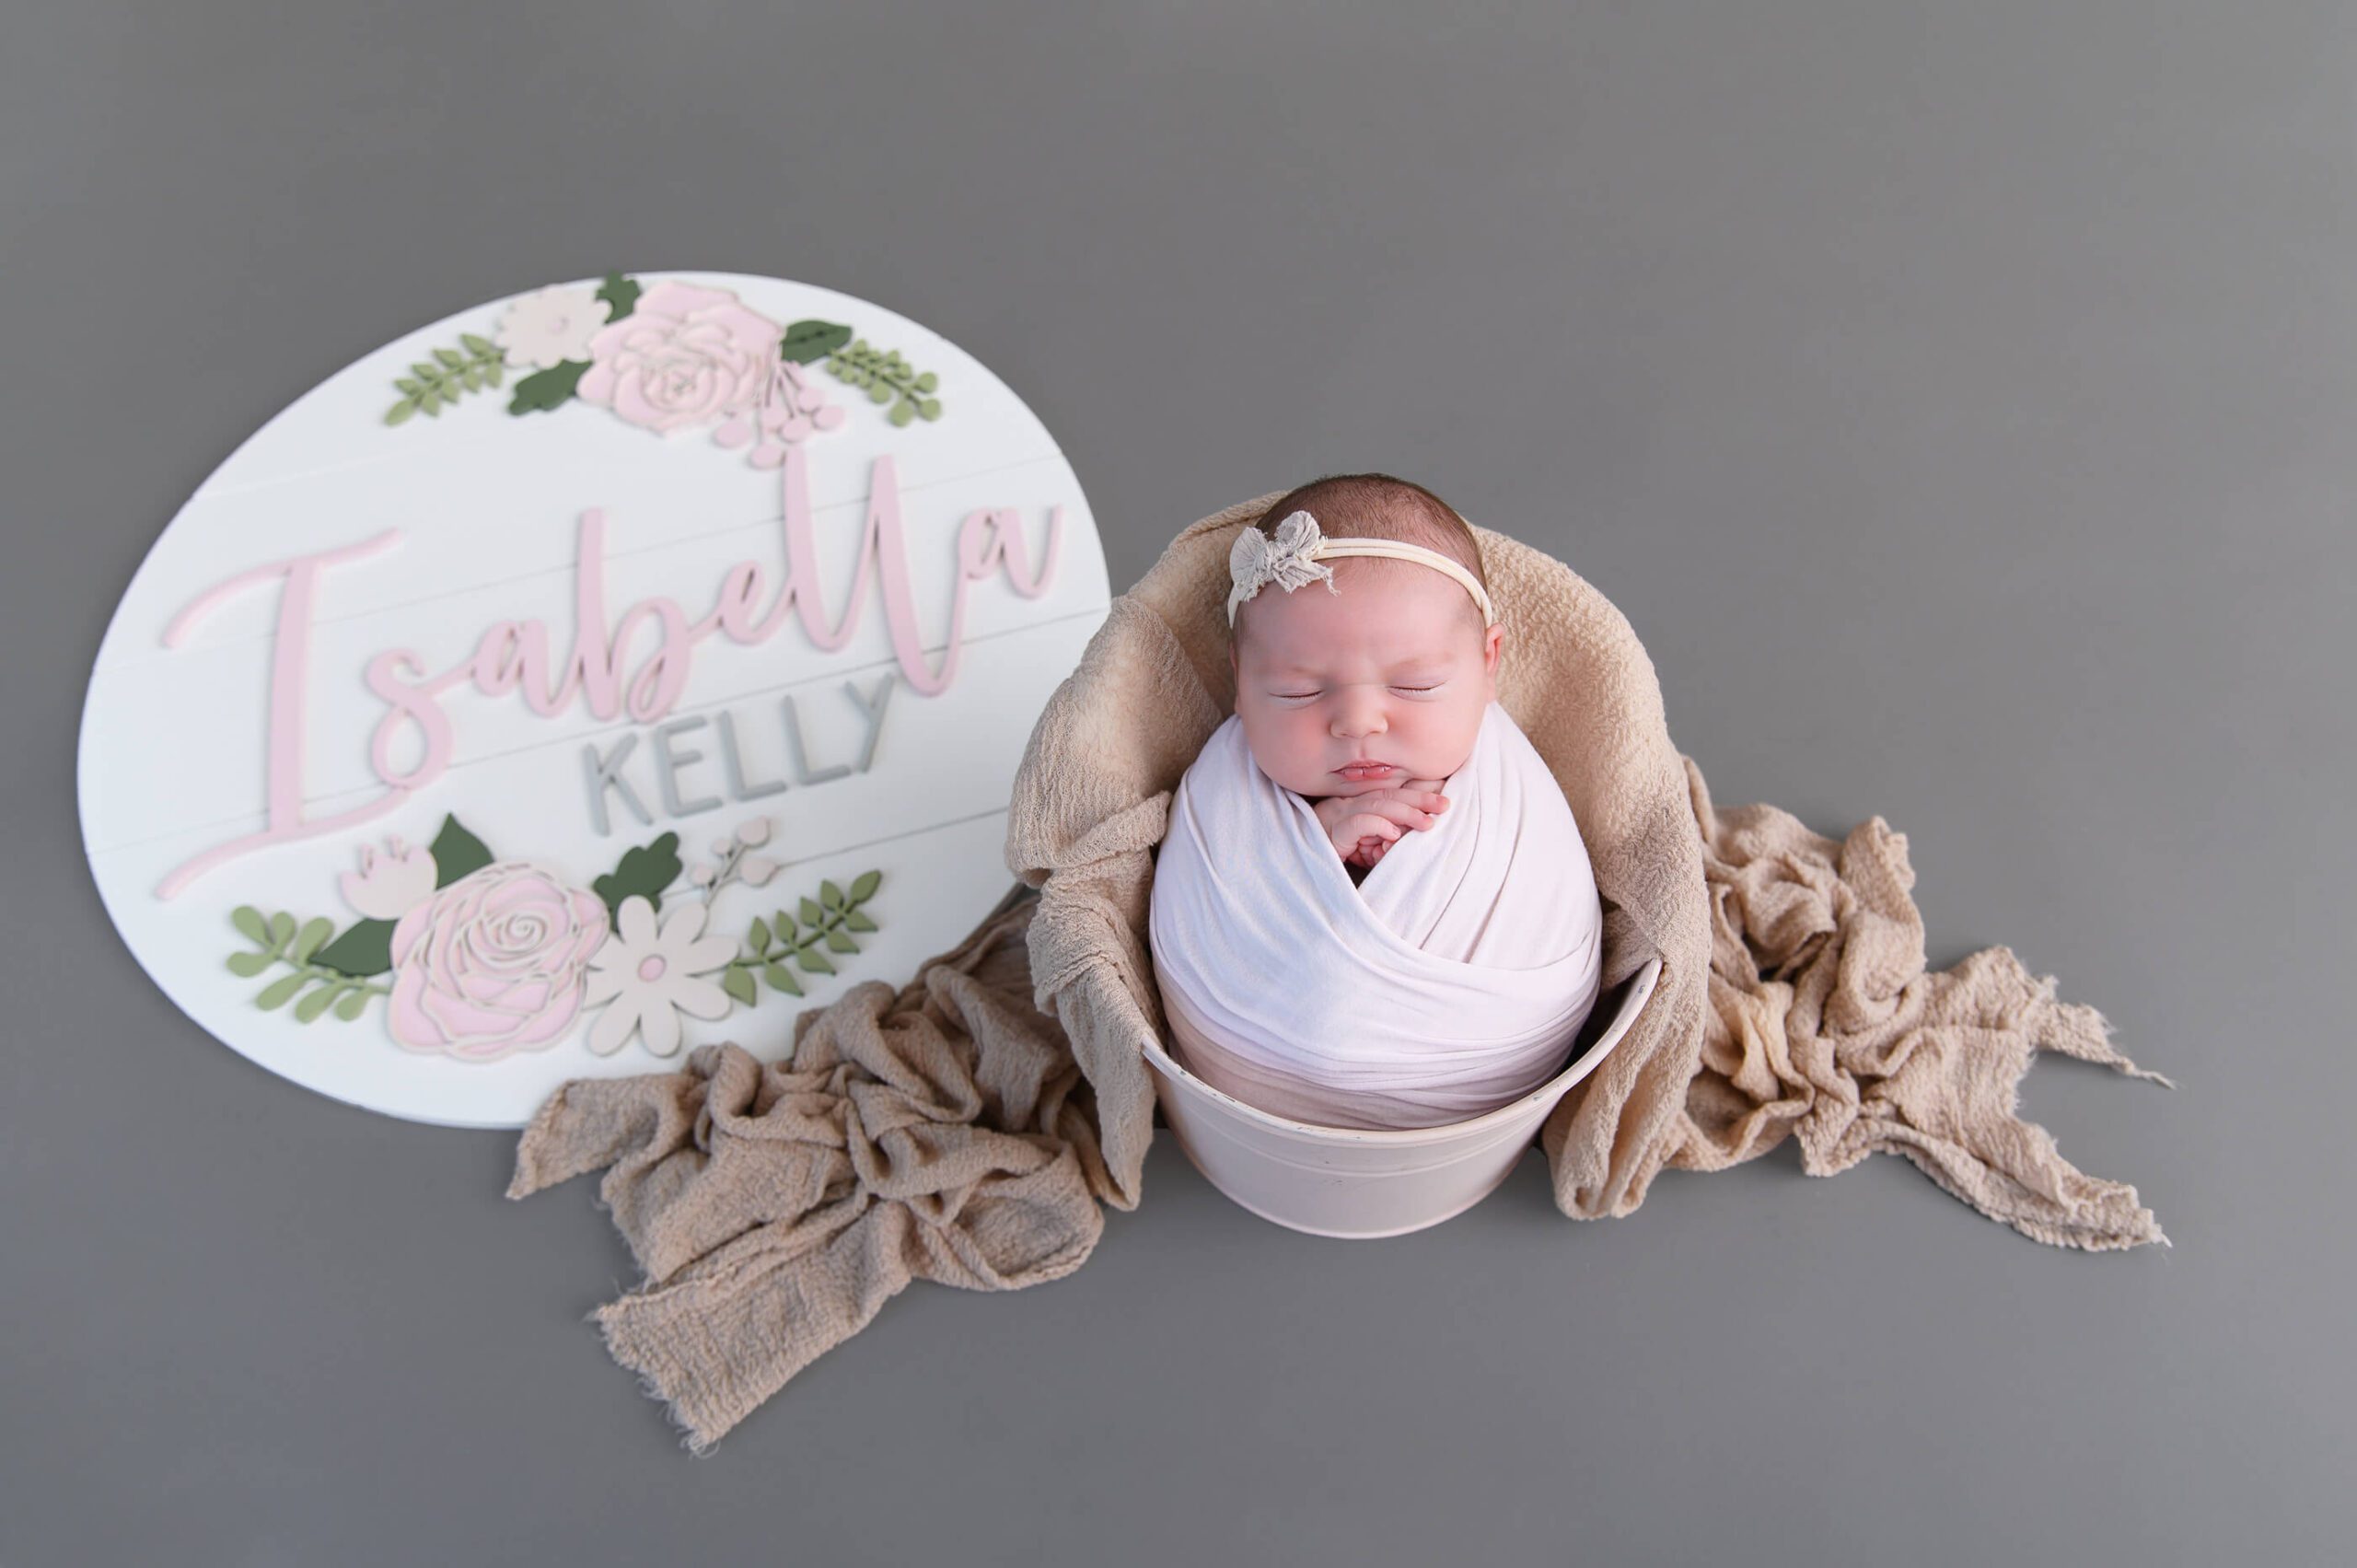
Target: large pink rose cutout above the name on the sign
(682,357)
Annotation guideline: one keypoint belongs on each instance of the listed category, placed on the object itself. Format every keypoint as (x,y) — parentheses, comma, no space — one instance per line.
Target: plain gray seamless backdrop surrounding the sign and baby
(1960,402)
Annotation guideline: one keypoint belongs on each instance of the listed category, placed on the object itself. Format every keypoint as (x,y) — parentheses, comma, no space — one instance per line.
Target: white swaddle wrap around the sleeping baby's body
(1446,984)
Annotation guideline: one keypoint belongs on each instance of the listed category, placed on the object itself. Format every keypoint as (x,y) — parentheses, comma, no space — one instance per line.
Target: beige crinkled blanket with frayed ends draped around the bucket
(968,1126)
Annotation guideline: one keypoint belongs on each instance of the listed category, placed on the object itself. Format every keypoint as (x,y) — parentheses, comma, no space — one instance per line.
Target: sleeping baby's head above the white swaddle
(1387,661)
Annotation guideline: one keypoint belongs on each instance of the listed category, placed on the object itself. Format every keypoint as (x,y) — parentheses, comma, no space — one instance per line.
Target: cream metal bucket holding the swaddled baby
(1373,1182)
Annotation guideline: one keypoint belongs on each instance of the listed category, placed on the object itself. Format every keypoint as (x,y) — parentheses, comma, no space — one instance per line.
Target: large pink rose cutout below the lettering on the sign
(494,963)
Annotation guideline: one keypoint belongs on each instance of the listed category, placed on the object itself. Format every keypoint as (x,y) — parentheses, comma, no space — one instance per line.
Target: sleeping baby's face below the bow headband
(1392,668)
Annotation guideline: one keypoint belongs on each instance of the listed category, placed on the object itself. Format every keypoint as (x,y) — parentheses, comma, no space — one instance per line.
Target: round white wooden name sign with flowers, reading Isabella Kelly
(590,676)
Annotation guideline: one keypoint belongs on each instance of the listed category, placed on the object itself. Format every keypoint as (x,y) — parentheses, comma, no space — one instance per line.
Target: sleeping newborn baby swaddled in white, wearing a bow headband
(1373,907)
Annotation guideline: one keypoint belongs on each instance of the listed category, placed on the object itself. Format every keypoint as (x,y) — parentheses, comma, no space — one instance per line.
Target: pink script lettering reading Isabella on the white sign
(513,657)
